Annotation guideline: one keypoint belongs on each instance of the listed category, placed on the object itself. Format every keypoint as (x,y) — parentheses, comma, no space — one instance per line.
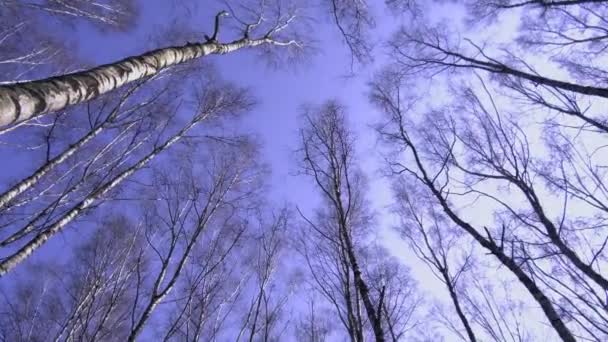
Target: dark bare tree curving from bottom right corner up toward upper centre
(433,174)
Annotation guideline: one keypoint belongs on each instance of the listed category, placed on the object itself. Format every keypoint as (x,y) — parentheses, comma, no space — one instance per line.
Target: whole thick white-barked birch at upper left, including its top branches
(22,101)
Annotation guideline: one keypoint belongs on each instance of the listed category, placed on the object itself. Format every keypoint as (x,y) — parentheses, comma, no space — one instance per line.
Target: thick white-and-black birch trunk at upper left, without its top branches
(22,101)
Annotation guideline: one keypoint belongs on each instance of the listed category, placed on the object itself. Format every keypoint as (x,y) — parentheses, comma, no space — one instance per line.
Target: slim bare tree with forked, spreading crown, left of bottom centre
(197,209)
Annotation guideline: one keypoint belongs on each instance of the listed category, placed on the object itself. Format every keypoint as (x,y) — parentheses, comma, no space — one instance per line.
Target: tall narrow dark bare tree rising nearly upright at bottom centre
(328,152)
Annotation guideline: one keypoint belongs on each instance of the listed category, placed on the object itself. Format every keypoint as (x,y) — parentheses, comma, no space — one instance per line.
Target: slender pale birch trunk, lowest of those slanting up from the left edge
(24,252)
